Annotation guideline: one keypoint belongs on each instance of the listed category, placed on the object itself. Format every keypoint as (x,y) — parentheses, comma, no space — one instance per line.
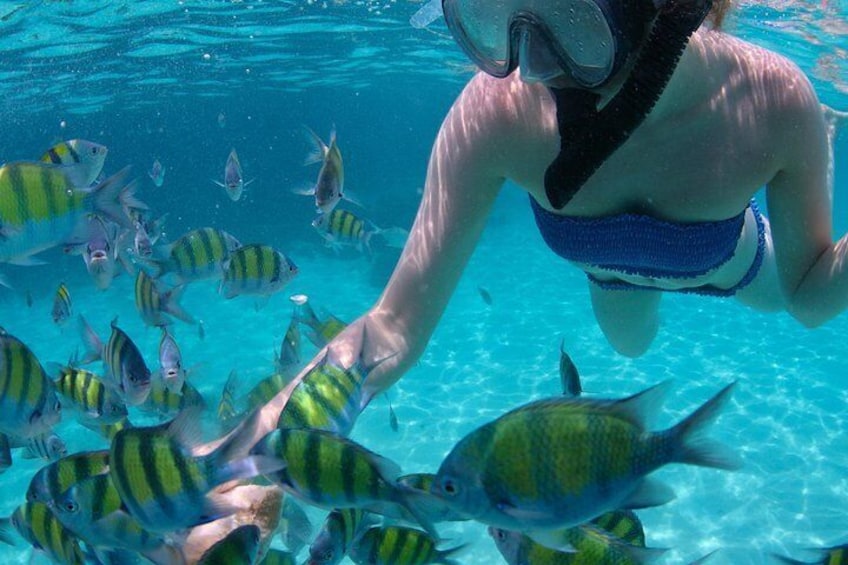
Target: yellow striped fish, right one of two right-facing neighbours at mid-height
(256,269)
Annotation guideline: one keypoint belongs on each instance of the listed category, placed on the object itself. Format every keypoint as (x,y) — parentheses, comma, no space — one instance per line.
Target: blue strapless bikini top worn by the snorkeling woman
(638,244)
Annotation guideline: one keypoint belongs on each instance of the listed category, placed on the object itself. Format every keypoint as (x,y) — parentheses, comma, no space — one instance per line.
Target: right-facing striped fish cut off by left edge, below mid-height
(29,405)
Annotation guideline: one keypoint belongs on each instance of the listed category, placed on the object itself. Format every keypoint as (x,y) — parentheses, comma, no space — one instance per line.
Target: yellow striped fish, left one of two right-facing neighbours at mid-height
(198,254)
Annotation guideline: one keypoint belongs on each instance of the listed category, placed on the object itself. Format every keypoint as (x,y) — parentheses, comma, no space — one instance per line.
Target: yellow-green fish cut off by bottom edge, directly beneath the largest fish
(589,544)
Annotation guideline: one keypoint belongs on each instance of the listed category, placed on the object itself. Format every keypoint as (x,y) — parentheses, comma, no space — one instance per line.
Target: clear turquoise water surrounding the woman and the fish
(149,80)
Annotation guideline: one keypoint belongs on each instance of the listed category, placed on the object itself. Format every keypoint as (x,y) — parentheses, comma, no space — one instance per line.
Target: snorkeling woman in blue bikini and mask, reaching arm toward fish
(641,134)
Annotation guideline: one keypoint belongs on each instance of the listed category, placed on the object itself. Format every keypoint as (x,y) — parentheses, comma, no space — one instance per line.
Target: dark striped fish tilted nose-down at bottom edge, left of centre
(342,528)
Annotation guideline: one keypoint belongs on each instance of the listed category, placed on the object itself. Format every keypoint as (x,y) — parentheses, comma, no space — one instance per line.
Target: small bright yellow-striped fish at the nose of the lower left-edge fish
(98,403)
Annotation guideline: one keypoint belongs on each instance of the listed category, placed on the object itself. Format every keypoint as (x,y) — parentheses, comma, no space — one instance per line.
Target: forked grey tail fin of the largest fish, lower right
(691,447)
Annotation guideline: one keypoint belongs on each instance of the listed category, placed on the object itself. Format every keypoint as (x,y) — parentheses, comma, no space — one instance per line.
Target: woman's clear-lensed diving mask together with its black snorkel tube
(588,41)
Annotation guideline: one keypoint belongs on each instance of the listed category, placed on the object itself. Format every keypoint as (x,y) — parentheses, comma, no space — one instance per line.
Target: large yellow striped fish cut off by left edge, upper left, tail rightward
(40,208)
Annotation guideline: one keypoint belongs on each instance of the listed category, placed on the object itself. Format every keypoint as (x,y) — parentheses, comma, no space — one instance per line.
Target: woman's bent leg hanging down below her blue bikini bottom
(628,318)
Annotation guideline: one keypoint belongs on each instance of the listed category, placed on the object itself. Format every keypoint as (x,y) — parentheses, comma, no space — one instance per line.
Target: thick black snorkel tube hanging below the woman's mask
(588,136)
